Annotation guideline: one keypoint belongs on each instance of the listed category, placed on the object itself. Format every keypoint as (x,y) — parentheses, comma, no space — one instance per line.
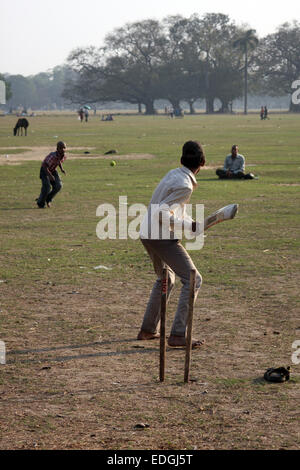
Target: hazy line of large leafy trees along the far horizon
(179,59)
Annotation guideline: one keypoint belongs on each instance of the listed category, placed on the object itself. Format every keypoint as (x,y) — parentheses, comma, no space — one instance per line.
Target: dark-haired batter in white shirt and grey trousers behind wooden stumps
(164,249)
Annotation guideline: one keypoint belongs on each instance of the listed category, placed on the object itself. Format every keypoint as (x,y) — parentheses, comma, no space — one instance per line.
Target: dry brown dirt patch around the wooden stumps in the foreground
(77,365)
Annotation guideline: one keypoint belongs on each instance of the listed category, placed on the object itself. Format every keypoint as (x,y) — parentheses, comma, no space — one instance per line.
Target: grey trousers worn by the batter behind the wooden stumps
(178,262)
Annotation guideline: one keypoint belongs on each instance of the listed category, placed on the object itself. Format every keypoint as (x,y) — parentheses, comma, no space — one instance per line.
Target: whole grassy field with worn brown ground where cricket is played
(76,378)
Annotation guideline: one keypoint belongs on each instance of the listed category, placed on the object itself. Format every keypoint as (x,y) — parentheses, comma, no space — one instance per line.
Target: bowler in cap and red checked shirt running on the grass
(50,177)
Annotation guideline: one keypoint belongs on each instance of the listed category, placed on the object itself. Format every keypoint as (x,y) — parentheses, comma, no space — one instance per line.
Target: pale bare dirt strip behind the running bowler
(39,153)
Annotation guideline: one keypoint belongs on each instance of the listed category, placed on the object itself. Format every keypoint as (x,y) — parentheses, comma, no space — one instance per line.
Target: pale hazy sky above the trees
(36,35)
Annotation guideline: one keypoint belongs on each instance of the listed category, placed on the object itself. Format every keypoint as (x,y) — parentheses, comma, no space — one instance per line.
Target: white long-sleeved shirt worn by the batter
(166,211)
